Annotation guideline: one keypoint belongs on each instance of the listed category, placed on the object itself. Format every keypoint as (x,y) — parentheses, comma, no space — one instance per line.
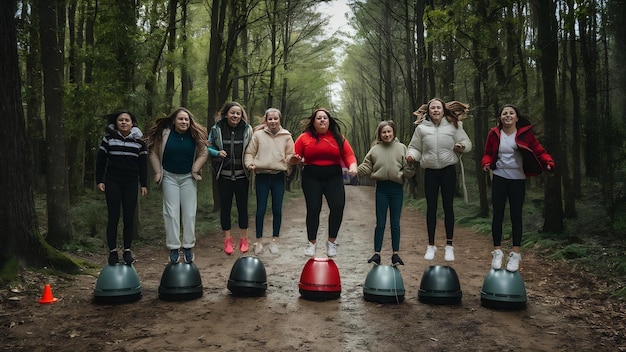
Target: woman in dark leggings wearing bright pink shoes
(228,140)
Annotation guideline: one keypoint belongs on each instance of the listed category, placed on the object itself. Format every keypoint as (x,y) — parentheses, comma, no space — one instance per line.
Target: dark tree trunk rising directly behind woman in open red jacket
(547,44)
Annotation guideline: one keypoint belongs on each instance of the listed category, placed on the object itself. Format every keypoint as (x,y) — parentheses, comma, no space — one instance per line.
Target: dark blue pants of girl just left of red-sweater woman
(266,183)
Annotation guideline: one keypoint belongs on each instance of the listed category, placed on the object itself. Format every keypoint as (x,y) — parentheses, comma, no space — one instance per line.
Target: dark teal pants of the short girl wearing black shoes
(389,195)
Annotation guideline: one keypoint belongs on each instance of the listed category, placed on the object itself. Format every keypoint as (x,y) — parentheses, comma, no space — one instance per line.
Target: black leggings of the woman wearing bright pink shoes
(227,189)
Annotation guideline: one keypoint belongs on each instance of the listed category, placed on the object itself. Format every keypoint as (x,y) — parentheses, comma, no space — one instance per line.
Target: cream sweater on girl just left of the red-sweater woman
(269,152)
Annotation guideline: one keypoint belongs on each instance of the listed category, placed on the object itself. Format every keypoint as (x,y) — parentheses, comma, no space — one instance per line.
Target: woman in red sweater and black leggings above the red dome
(322,148)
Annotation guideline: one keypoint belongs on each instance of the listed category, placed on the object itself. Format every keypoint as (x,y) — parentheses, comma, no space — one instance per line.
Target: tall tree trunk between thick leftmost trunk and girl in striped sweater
(57,200)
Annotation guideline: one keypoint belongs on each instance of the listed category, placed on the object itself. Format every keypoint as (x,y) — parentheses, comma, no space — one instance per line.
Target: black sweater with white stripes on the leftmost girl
(121,157)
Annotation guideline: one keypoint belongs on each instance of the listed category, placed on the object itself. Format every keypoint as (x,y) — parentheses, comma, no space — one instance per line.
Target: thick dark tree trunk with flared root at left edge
(21,241)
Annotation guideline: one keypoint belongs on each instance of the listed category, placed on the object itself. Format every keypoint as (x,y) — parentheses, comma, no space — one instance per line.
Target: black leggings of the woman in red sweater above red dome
(327,181)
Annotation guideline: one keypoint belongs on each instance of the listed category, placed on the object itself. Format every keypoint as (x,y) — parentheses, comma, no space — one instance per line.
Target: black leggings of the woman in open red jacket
(515,191)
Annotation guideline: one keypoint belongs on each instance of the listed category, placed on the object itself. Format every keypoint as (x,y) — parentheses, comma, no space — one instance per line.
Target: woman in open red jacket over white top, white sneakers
(512,153)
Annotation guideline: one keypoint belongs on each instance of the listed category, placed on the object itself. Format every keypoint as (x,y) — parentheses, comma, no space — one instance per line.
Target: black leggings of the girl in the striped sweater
(121,194)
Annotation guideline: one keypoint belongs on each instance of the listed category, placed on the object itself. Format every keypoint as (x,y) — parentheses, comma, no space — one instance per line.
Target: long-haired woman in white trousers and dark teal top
(177,145)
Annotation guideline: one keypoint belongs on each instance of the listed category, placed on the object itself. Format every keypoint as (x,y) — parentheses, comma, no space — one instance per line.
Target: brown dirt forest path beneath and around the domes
(567,308)
